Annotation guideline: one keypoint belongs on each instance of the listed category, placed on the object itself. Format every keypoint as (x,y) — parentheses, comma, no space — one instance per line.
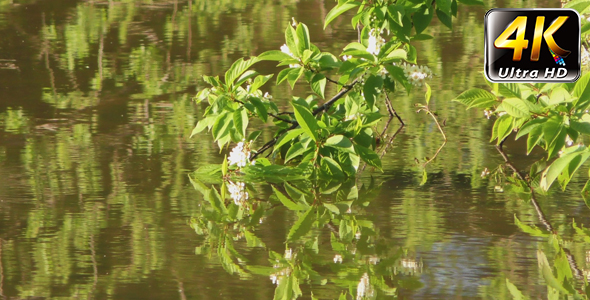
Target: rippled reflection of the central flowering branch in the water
(353,262)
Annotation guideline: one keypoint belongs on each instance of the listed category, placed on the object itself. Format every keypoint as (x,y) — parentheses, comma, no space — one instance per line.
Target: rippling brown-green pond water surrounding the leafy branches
(96,201)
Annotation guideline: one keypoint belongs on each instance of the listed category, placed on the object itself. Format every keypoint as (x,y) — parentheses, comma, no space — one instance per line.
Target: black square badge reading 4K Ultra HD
(532,45)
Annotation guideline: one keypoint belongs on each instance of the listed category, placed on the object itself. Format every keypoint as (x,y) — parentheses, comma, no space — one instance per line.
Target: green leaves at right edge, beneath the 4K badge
(552,116)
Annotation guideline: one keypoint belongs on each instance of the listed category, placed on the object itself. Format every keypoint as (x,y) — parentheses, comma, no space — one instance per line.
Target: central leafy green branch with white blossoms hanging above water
(330,136)
